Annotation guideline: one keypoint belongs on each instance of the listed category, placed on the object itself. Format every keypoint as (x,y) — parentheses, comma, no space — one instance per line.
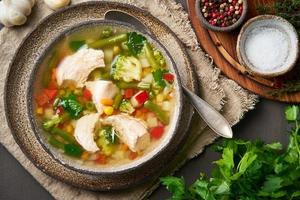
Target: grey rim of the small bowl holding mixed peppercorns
(221,29)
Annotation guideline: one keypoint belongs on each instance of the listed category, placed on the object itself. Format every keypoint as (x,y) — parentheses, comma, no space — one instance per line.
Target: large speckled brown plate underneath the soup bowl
(17,82)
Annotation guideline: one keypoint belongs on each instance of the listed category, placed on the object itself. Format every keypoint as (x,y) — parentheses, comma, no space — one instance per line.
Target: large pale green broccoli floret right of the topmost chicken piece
(126,69)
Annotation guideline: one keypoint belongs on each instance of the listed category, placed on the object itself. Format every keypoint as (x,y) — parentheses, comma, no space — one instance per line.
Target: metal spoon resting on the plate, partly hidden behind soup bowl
(212,117)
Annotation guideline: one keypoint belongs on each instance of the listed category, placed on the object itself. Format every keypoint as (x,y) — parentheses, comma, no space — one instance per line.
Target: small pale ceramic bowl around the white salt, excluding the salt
(268,22)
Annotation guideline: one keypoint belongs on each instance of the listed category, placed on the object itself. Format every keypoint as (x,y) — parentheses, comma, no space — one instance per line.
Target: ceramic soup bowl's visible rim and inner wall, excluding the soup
(35,80)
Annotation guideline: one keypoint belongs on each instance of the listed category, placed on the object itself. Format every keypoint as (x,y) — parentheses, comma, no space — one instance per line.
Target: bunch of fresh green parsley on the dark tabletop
(248,170)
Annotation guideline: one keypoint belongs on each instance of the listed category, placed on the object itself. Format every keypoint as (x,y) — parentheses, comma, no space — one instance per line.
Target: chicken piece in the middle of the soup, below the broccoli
(101,90)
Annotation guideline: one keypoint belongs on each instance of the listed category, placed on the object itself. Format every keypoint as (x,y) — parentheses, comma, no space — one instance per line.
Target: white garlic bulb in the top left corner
(15,12)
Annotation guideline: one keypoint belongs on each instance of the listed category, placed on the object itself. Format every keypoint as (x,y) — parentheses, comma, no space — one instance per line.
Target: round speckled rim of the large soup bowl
(30,96)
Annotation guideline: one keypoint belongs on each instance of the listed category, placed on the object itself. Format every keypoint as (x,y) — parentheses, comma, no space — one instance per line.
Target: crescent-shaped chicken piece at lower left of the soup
(84,132)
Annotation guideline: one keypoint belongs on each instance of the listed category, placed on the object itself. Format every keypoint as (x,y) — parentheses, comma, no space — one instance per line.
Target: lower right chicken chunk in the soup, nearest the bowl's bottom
(132,132)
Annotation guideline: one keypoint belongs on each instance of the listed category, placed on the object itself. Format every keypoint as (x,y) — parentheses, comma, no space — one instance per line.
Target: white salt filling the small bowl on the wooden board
(267,48)
